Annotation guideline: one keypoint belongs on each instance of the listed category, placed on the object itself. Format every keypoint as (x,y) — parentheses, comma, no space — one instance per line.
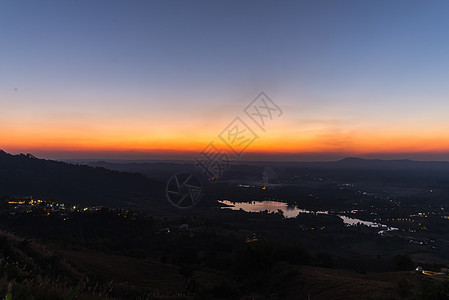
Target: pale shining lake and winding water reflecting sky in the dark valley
(293,211)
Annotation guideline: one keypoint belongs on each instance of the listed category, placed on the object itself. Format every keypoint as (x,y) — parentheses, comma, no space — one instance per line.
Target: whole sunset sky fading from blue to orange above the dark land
(162,79)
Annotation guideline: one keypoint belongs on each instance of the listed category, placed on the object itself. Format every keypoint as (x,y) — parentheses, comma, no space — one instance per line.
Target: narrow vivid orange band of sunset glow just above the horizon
(359,143)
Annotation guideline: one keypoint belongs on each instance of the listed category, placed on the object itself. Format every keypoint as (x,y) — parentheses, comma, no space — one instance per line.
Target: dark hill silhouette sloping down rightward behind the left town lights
(26,175)
